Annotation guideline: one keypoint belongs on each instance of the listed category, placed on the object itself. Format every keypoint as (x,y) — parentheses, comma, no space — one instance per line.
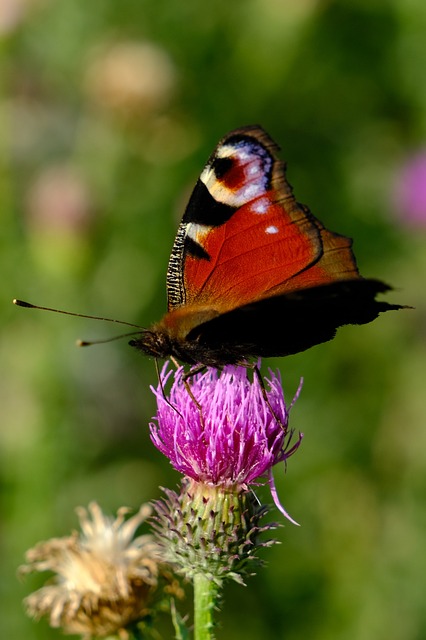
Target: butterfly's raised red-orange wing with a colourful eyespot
(244,237)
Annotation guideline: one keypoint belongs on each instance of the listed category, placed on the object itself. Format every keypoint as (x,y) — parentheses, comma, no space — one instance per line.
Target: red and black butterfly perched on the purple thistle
(252,272)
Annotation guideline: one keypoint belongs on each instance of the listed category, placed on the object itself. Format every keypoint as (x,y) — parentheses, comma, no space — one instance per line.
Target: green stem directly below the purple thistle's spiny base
(205,600)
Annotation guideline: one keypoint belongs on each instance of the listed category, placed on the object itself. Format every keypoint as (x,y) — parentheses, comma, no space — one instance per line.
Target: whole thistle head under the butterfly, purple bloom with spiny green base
(224,436)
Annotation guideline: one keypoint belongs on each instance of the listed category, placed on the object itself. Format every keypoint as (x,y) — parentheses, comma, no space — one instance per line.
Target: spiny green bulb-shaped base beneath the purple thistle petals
(211,531)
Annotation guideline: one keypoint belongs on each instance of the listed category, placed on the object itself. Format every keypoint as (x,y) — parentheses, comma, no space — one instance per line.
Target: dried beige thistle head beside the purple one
(105,578)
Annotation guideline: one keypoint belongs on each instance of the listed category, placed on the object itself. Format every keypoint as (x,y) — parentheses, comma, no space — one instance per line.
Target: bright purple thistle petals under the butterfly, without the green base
(237,436)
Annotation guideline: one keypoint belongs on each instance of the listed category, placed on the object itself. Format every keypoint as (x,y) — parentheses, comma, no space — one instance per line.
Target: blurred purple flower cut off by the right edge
(410,191)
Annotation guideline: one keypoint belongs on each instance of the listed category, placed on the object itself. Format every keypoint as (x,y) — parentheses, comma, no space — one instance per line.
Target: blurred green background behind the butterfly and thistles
(108,111)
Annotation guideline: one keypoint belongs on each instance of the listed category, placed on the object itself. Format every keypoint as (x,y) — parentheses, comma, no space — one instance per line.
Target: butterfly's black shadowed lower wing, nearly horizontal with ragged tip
(289,323)
